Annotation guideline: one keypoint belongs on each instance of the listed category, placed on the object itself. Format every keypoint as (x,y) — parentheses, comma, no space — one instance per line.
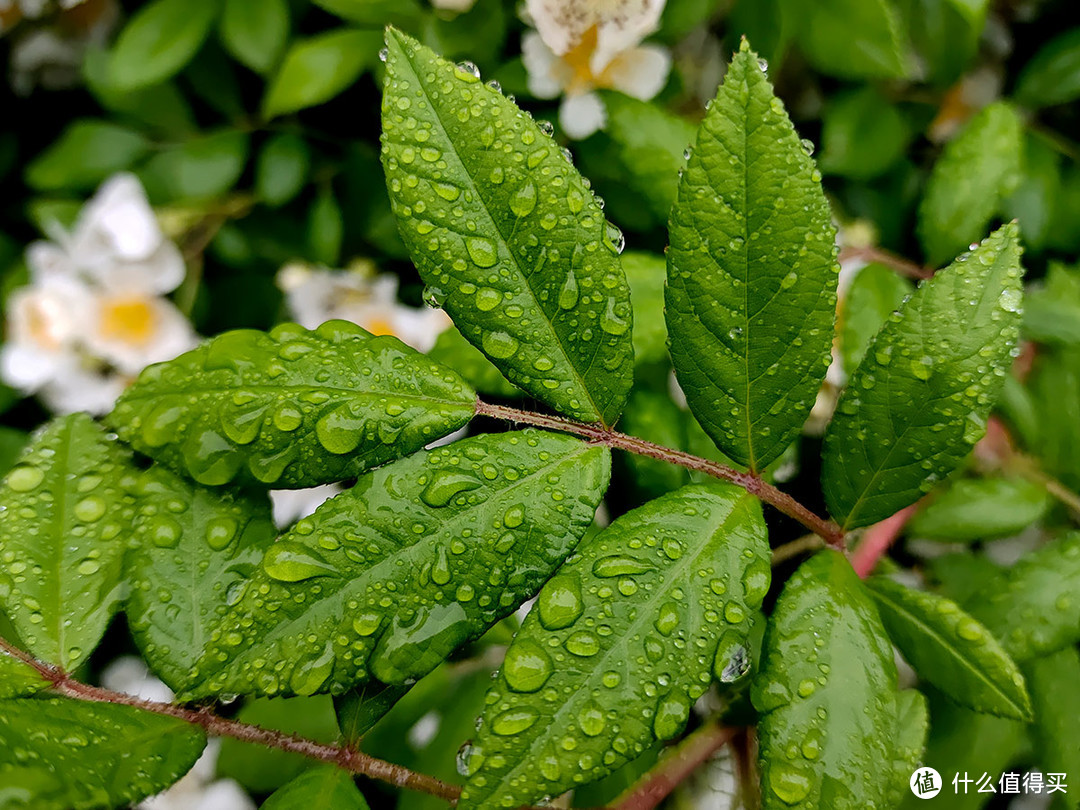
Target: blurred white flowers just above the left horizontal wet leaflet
(317,295)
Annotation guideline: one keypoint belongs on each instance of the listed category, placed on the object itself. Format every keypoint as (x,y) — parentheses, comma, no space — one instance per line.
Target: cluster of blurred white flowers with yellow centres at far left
(94,314)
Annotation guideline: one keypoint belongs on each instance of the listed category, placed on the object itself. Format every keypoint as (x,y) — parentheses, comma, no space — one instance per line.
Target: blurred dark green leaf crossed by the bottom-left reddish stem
(263,771)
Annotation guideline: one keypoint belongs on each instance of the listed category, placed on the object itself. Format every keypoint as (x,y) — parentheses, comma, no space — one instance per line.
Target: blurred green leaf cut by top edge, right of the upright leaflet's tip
(853,39)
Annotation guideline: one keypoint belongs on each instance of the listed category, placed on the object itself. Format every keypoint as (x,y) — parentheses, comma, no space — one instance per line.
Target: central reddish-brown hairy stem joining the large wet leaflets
(599,435)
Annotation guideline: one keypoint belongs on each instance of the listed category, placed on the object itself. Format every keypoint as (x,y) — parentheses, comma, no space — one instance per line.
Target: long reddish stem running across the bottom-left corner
(347,759)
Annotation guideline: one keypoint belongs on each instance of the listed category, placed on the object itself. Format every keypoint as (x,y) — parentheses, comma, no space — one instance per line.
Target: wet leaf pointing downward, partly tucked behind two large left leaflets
(195,548)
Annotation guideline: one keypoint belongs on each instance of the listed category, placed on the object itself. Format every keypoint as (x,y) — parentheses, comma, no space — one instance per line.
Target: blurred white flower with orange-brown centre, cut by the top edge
(584,46)
